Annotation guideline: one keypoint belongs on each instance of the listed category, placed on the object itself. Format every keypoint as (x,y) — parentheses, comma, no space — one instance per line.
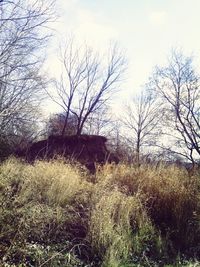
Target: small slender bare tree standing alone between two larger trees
(142,119)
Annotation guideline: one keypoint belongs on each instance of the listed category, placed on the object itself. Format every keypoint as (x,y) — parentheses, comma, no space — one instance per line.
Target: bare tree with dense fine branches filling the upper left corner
(22,35)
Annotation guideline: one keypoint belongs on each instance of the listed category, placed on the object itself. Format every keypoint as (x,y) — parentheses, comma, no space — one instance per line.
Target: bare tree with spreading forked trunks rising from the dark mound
(87,82)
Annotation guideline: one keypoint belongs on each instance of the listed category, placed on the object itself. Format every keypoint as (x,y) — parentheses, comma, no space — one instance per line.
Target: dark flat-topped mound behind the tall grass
(87,149)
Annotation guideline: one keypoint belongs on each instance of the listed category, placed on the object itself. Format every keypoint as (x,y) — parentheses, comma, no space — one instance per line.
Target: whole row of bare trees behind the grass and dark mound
(162,120)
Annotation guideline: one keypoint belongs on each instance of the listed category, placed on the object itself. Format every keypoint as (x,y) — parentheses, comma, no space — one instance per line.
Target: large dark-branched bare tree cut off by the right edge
(178,85)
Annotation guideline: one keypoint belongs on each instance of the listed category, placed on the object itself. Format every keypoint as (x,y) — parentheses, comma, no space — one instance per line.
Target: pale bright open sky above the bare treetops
(146,30)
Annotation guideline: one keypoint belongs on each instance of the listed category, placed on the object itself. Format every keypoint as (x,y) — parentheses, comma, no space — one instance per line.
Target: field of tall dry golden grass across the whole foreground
(56,214)
